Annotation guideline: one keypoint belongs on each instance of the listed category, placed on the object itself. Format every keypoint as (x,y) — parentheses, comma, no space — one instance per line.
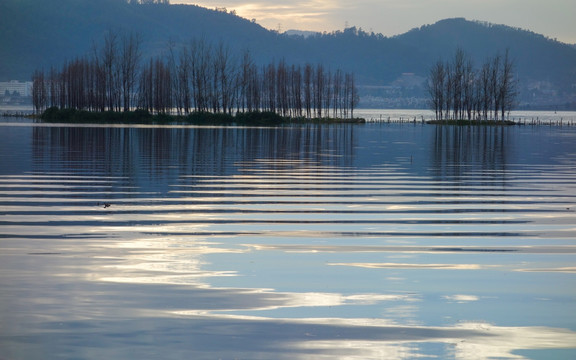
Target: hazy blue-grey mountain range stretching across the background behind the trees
(39,34)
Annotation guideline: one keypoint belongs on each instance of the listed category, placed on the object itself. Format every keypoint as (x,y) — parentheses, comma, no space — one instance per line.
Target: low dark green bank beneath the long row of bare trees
(196,118)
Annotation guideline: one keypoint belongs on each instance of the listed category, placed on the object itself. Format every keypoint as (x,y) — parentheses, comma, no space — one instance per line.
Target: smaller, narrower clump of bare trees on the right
(457,90)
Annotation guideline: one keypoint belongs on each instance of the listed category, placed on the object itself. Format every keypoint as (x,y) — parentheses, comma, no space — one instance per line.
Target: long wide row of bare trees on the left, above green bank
(200,77)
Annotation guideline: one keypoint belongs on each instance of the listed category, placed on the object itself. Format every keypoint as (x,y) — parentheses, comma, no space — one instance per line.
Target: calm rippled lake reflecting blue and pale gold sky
(364,241)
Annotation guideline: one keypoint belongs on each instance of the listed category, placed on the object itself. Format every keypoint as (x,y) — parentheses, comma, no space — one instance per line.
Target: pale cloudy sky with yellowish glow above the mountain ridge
(552,18)
